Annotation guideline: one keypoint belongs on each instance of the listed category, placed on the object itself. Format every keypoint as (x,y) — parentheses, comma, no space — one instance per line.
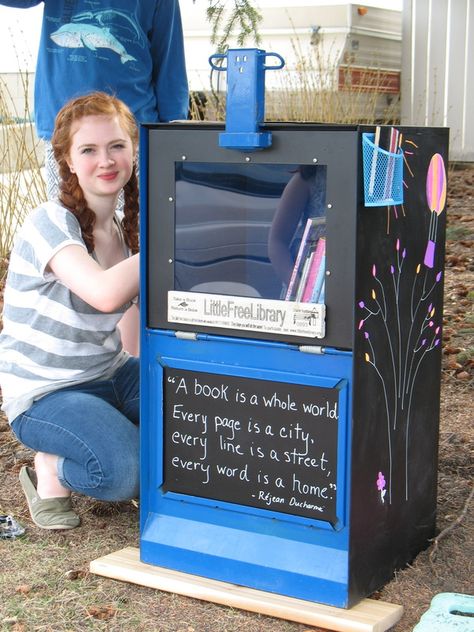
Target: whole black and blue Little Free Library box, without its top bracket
(290,357)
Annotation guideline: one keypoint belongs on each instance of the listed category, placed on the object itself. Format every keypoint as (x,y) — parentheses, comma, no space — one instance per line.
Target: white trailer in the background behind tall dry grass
(342,61)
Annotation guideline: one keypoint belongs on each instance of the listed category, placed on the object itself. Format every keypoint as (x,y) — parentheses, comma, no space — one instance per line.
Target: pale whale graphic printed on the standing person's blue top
(92,37)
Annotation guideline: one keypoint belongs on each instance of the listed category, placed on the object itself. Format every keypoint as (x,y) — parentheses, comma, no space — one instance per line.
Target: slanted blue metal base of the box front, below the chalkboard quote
(306,570)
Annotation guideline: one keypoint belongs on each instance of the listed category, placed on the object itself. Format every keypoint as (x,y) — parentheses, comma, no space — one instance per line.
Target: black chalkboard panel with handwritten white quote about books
(258,443)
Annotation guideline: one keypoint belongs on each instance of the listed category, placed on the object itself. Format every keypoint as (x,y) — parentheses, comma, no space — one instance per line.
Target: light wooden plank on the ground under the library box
(367,616)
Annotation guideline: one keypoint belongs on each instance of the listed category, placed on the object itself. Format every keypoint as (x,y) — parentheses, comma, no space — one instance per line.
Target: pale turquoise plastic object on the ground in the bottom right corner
(449,612)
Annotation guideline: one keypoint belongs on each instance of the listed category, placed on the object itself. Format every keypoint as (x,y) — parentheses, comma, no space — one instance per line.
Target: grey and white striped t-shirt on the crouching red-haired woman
(51,338)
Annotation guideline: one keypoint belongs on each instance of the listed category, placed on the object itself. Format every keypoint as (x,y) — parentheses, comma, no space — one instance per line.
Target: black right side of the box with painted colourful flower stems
(397,363)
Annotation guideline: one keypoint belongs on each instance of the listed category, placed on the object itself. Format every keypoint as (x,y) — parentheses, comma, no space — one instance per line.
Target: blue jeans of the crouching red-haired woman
(93,428)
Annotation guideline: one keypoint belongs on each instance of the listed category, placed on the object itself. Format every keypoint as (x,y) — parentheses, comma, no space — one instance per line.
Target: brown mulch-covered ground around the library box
(445,566)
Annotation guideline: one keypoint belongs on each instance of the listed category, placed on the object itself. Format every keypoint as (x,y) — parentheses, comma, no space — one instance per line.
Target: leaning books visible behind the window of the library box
(307,278)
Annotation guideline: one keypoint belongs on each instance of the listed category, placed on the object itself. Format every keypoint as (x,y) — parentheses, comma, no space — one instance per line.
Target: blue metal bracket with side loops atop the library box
(245,107)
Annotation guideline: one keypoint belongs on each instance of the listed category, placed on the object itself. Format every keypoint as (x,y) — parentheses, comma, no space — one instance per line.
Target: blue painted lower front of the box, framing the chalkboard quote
(215,537)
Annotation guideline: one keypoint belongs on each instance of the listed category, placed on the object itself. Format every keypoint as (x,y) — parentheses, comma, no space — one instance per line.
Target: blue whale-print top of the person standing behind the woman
(133,50)
